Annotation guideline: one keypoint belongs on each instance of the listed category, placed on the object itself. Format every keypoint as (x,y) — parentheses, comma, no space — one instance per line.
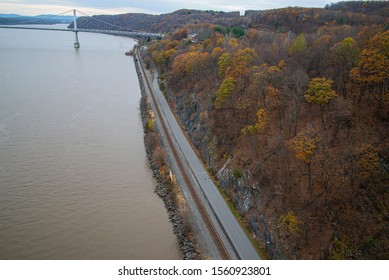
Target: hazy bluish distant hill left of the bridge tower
(40,19)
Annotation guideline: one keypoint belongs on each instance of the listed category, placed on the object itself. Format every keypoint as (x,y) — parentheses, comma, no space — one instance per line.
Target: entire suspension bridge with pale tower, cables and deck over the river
(115,29)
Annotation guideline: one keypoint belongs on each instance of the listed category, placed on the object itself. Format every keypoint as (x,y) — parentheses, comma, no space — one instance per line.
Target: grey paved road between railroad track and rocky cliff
(235,236)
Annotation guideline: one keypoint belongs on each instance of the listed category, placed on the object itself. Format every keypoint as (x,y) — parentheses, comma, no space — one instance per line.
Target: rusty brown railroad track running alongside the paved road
(207,220)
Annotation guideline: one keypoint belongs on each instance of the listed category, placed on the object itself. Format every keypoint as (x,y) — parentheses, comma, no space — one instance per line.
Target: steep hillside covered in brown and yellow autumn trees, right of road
(289,109)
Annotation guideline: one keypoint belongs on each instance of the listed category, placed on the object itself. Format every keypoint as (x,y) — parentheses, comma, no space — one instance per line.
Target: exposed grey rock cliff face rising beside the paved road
(245,193)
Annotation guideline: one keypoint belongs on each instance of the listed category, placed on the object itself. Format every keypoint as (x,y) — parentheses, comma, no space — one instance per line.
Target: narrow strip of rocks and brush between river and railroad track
(164,189)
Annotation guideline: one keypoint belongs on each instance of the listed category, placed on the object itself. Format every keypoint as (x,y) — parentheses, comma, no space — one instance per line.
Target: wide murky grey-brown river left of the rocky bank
(74,178)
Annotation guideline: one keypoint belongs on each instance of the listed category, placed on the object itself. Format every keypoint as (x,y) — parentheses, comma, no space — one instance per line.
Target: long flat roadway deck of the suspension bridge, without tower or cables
(110,32)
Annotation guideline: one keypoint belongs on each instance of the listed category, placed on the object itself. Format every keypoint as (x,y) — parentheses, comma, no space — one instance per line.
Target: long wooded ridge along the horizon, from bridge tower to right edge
(297,19)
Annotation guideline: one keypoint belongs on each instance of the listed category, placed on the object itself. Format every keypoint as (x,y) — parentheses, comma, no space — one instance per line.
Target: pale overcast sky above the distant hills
(35,7)
